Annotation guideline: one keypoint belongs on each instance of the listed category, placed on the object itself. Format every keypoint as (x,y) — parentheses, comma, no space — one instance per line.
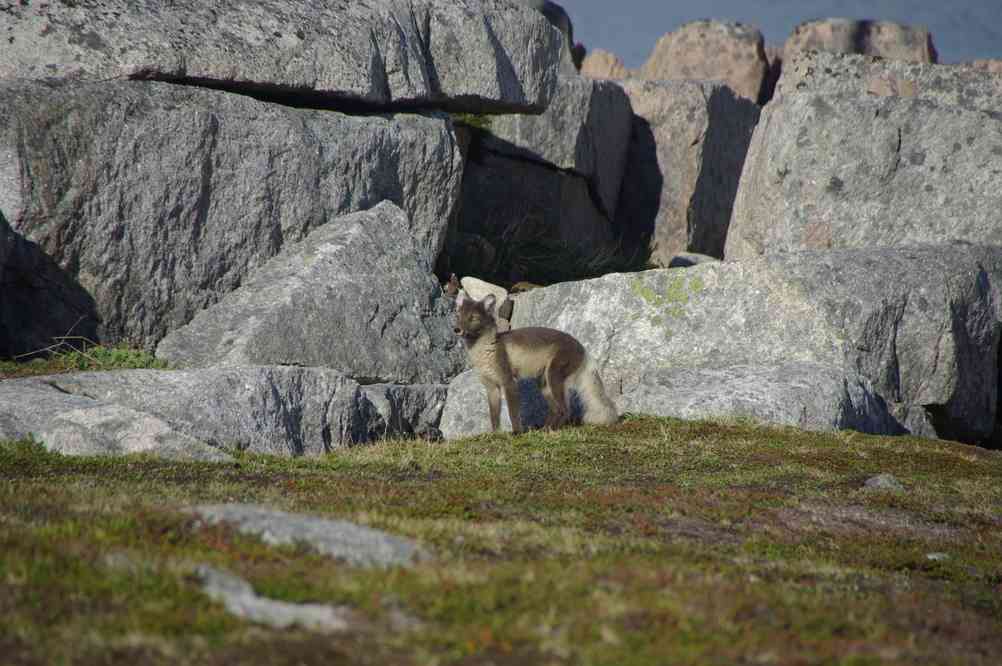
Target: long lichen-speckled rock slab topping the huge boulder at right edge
(842,75)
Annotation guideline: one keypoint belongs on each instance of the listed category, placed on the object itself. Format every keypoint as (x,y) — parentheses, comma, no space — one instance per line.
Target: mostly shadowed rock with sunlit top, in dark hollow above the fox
(555,177)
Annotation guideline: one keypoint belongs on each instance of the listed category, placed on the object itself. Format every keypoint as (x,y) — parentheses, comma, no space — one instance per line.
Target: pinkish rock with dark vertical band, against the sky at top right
(887,40)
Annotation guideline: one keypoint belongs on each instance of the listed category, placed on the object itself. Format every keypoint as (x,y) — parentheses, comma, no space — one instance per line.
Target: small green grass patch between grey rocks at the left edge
(66,359)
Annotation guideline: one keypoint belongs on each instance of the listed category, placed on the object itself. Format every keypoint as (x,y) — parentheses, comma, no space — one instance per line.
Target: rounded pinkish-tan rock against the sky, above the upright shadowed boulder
(711,51)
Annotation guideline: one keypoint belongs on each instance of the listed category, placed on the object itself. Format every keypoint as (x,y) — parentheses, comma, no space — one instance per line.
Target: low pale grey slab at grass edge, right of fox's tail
(802,395)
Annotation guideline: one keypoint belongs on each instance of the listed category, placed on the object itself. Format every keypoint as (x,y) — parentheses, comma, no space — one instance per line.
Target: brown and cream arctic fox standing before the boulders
(503,359)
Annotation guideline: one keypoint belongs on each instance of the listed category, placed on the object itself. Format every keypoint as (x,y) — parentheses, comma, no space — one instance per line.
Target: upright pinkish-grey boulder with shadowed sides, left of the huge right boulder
(687,152)
